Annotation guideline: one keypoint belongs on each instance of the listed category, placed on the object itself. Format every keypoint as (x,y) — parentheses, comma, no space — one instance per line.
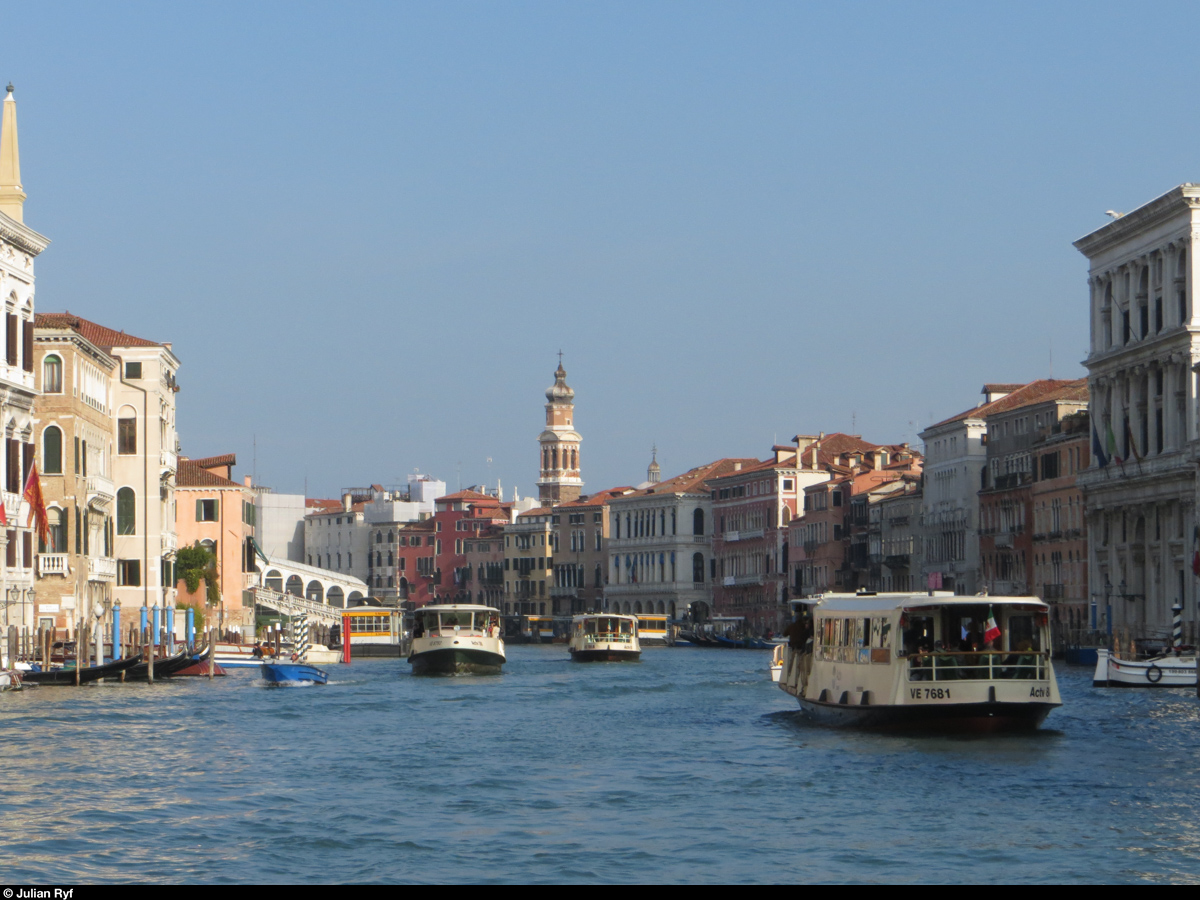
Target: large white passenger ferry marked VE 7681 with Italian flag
(896,662)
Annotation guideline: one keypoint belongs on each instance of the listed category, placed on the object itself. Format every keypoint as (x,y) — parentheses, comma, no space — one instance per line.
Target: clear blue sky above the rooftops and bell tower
(368,229)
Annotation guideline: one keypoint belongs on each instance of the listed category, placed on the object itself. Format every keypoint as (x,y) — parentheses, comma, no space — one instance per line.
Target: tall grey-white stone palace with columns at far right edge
(1141,491)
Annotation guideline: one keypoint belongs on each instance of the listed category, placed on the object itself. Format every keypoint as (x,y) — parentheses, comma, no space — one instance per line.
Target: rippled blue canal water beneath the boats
(687,767)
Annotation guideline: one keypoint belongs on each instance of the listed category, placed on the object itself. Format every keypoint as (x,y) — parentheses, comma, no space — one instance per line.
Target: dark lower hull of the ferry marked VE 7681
(959,718)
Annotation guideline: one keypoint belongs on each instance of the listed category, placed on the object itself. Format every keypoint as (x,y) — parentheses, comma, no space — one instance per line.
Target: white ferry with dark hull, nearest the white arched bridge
(458,639)
